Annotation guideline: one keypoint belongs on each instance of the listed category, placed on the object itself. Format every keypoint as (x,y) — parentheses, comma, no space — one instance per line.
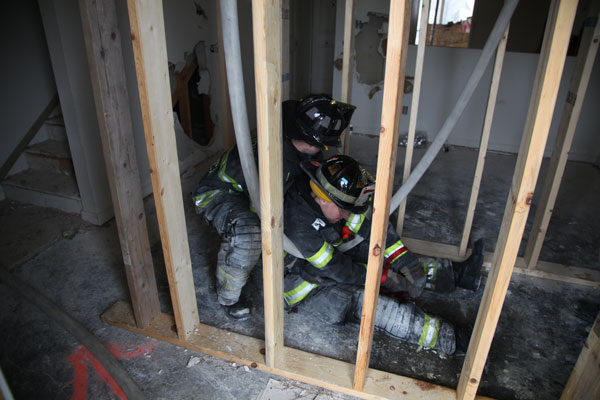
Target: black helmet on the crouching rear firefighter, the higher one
(317,119)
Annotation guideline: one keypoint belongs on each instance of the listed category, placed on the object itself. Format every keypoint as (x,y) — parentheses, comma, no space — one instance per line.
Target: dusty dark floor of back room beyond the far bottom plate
(436,207)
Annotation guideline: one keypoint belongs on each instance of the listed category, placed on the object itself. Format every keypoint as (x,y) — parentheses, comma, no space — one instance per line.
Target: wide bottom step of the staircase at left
(45,189)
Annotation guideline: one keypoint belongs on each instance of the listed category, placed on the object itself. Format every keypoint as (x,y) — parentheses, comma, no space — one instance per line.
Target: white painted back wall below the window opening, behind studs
(446,71)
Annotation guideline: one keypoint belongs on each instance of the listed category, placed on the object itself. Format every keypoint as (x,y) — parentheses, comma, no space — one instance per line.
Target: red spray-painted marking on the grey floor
(82,354)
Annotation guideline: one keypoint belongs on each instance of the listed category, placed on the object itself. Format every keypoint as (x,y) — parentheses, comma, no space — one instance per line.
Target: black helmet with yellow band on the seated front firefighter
(341,180)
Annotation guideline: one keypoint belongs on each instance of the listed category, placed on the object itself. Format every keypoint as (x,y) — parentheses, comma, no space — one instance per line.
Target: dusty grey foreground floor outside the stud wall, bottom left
(83,275)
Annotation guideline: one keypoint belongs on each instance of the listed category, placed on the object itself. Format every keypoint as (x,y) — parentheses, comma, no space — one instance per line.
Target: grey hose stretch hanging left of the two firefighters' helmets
(235,81)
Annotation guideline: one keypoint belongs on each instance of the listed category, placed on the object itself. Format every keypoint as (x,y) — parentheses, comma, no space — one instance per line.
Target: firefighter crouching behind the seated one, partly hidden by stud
(309,126)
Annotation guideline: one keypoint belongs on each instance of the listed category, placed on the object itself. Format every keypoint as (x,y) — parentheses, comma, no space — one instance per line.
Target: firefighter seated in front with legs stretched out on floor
(328,217)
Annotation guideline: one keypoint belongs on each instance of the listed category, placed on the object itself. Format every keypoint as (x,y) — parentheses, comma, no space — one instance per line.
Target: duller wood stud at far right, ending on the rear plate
(588,49)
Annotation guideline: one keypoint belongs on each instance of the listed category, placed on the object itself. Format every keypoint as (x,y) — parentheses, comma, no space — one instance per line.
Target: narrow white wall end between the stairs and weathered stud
(62,25)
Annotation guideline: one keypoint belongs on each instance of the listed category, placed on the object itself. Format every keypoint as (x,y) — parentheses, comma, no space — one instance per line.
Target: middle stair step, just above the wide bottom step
(51,156)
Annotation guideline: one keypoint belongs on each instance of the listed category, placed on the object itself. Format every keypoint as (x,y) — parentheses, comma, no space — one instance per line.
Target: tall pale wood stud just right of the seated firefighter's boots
(551,62)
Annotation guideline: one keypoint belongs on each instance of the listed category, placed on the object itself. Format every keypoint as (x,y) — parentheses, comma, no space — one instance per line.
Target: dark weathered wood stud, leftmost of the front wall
(103,46)
